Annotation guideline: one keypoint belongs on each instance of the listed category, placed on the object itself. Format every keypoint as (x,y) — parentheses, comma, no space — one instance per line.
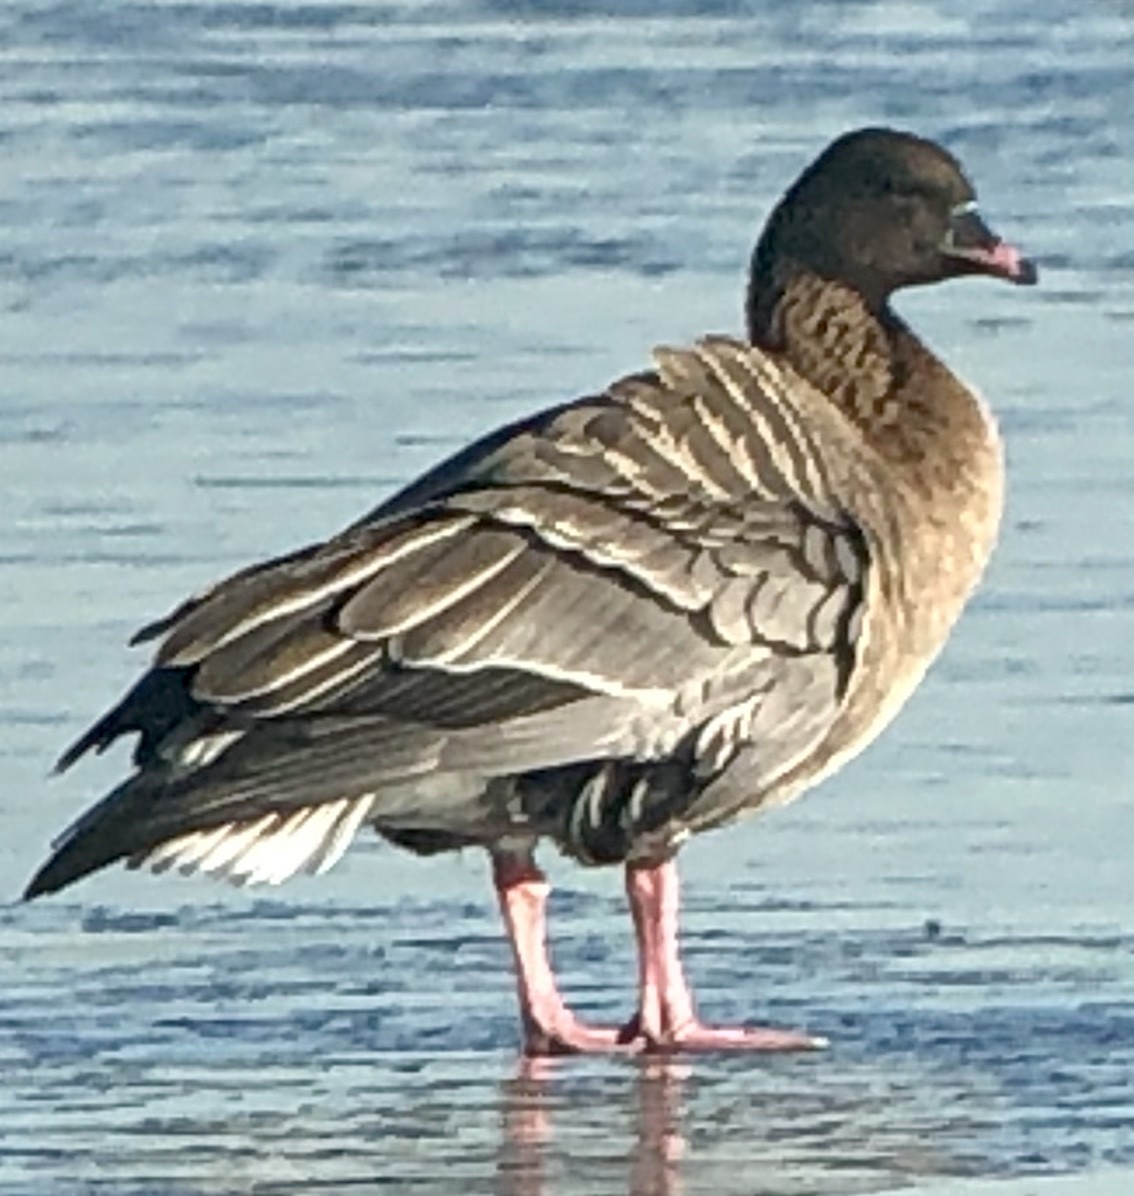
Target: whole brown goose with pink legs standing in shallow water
(615,624)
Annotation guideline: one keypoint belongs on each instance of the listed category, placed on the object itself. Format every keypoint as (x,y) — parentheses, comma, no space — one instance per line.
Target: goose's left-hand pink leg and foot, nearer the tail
(550,1027)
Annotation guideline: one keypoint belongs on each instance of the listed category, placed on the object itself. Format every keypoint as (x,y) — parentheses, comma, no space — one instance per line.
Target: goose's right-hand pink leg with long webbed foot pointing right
(667,1020)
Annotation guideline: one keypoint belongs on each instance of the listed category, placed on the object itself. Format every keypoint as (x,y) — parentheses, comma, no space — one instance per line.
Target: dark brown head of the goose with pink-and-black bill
(880,210)
